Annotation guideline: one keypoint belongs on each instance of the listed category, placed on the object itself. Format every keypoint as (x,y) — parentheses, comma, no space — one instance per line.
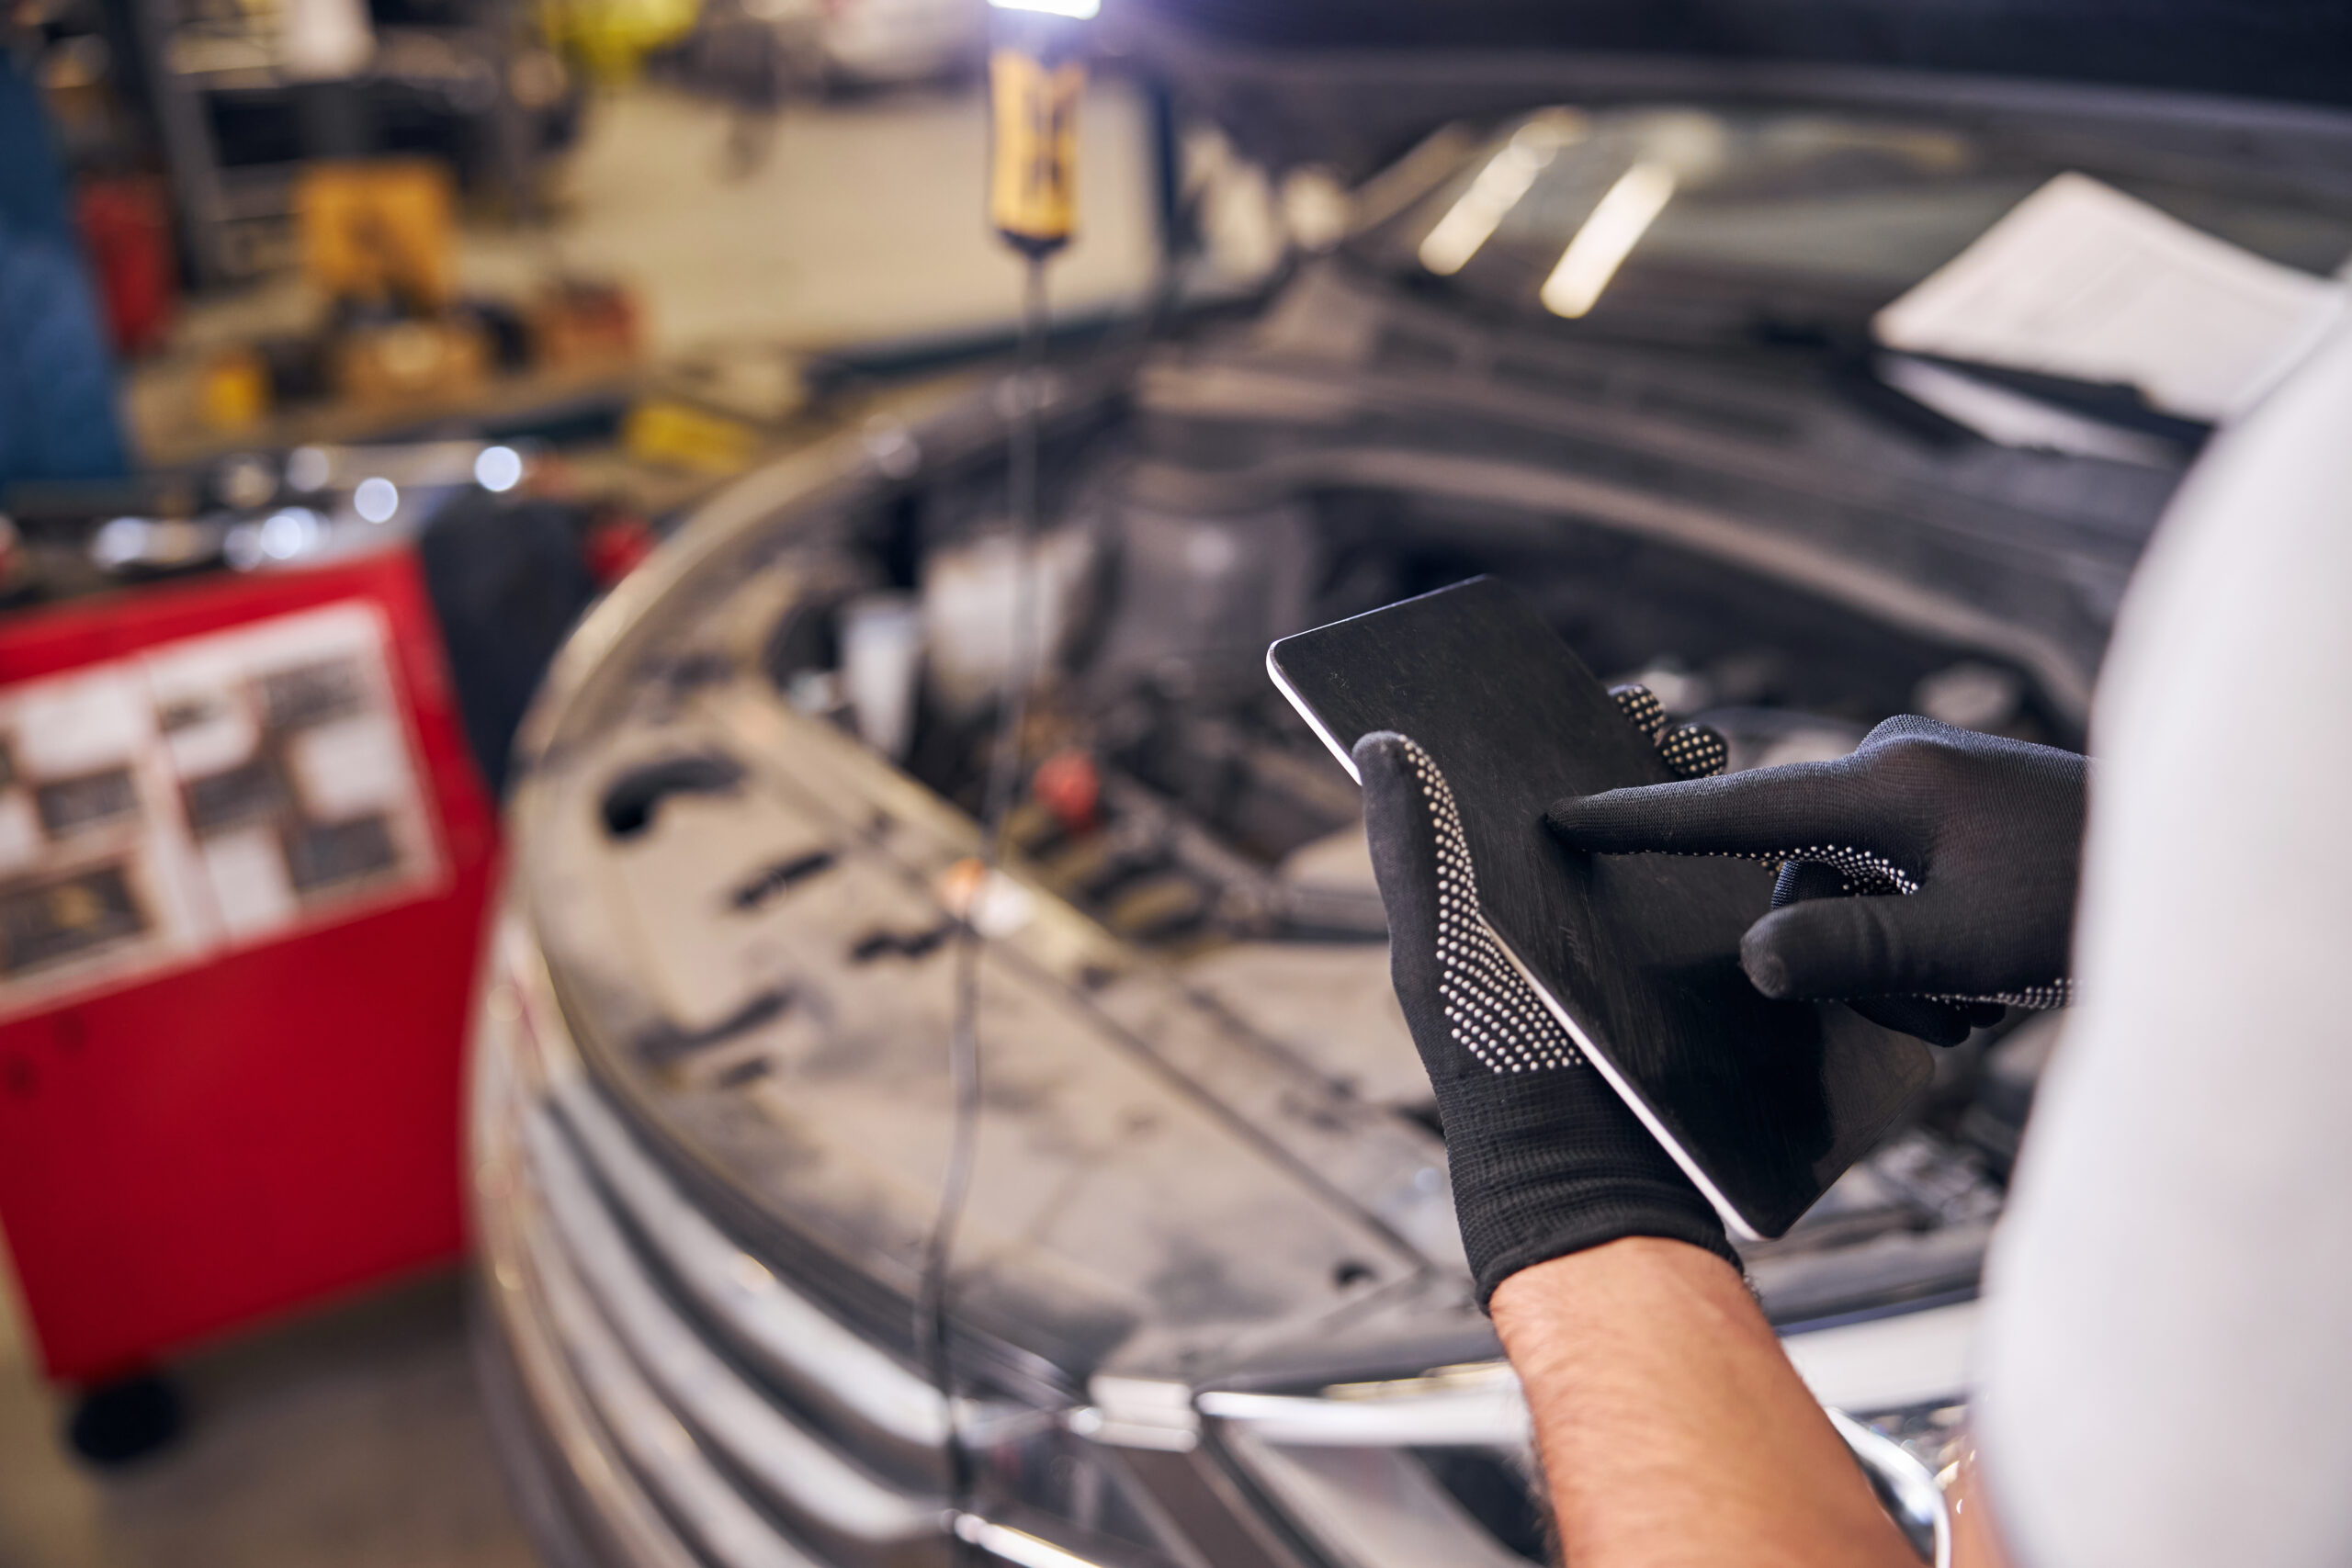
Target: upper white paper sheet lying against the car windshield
(2087,283)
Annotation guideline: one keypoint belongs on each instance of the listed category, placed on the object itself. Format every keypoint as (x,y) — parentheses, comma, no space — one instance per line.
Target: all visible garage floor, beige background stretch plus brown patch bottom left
(356,1438)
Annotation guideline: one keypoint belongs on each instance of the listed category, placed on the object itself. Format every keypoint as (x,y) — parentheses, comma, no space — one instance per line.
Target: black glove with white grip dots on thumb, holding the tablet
(1546,1158)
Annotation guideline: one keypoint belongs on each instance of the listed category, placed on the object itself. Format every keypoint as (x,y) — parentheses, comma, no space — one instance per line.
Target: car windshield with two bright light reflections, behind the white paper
(1692,222)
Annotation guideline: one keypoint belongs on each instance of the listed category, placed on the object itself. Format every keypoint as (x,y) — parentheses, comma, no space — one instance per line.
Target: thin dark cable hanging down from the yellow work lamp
(996,808)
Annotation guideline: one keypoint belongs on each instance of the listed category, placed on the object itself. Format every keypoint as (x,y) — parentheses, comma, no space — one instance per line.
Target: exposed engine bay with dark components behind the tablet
(1175,800)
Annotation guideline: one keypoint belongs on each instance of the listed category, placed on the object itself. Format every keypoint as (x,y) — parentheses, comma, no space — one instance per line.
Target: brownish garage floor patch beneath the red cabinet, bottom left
(352,1440)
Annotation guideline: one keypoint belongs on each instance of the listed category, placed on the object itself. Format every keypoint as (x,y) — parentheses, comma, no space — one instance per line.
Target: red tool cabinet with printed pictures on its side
(243,869)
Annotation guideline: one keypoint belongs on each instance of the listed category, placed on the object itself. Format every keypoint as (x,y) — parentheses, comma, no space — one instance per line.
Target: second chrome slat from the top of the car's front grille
(796,1468)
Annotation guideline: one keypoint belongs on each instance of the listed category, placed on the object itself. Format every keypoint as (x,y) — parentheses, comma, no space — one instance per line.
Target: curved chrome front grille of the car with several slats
(639,1327)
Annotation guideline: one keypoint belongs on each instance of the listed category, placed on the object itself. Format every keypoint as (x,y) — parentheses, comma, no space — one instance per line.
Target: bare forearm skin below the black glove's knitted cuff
(1671,1423)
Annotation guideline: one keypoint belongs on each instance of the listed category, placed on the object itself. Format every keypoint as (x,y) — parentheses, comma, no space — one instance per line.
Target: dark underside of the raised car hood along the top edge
(1351,83)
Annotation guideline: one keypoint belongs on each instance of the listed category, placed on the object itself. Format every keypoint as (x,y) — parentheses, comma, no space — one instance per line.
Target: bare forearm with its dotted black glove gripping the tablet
(1671,1423)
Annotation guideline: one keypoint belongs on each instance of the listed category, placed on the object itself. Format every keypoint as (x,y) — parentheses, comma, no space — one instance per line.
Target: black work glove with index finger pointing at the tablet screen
(1927,880)
